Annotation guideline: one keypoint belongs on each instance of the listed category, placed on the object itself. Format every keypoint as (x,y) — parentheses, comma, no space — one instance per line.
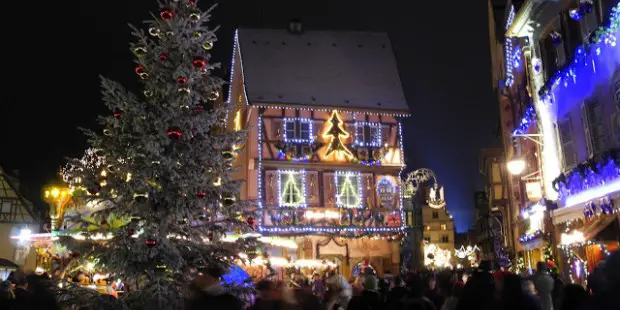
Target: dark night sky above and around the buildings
(54,52)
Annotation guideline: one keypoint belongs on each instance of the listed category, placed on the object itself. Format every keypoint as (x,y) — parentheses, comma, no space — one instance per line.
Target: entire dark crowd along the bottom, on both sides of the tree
(485,288)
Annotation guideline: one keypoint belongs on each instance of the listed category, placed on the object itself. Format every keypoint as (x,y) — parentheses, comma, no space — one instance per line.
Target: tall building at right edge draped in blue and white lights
(559,108)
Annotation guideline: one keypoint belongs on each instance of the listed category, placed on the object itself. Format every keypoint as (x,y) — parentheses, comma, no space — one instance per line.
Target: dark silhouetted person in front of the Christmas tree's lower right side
(209,293)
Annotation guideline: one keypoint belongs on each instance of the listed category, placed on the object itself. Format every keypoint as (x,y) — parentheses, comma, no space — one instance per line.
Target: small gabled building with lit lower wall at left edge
(16,217)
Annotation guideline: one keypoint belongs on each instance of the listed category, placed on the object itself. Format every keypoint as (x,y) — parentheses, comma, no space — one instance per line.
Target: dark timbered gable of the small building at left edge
(14,208)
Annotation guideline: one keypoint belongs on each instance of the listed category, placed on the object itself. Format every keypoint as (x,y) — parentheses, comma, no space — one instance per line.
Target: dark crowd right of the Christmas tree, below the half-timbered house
(485,288)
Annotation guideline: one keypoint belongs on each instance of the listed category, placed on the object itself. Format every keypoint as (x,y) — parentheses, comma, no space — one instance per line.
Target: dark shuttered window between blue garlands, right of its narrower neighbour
(594,127)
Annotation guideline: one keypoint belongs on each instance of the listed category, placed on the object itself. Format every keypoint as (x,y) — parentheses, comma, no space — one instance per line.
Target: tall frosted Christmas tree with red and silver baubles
(159,176)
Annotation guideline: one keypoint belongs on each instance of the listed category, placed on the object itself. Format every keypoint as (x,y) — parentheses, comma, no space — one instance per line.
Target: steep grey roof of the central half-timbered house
(353,70)
